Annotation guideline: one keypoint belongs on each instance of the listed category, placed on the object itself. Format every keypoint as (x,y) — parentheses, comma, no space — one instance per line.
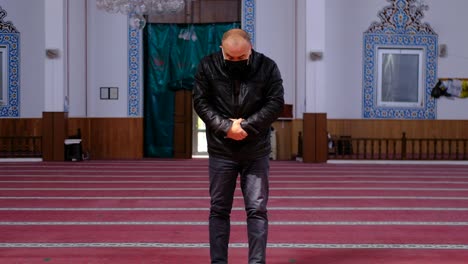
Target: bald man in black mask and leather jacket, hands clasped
(238,93)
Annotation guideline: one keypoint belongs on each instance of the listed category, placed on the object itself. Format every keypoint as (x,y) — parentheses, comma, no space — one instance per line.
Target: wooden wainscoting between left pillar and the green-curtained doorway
(110,138)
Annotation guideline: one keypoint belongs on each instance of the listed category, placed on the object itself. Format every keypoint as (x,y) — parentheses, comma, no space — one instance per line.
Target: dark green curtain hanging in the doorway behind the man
(172,53)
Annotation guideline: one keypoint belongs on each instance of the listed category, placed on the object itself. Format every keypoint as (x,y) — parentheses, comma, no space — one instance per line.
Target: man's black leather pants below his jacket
(254,185)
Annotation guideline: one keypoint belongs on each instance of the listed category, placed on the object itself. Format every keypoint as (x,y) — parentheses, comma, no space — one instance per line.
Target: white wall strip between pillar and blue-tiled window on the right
(345,23)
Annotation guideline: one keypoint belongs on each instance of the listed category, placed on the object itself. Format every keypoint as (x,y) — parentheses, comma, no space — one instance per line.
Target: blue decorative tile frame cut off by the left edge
(10,38)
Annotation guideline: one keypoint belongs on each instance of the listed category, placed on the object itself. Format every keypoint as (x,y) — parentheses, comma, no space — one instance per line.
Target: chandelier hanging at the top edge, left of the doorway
(137,9)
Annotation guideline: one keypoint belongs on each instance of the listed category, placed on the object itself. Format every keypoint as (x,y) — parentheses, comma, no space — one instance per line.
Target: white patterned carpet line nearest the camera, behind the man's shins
(235,245)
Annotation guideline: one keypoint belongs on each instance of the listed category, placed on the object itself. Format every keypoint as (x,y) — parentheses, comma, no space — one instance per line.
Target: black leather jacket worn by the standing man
(258,100)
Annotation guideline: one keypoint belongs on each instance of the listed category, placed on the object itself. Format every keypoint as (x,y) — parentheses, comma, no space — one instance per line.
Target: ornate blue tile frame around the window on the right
(400,27)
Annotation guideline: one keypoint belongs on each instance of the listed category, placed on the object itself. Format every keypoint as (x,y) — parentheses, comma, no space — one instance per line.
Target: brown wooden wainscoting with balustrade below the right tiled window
(399,139)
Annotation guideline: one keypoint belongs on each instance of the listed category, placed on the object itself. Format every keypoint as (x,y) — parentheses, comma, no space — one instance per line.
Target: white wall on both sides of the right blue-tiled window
(345,23)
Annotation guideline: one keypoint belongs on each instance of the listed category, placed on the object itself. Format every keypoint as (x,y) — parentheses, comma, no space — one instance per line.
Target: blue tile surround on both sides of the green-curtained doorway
(135,89)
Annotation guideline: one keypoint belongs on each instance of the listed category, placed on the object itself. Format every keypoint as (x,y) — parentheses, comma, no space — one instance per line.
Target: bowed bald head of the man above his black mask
(236,45)
